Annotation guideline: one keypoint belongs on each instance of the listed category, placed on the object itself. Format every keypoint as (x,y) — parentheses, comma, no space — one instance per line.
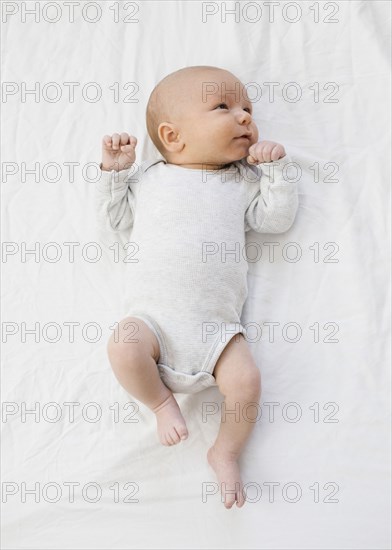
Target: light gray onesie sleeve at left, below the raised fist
(115,195)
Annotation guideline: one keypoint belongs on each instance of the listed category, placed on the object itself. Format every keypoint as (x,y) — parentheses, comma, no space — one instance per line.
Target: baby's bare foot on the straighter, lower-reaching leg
(228,474)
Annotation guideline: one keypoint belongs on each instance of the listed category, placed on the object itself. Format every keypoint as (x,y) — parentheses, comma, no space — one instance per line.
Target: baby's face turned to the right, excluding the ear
(214,119)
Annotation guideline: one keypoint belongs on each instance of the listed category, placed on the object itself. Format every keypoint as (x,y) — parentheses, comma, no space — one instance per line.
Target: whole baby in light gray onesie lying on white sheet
(188,213)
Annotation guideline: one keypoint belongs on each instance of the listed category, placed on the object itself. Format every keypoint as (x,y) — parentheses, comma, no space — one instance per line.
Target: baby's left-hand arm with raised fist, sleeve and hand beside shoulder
(114,197)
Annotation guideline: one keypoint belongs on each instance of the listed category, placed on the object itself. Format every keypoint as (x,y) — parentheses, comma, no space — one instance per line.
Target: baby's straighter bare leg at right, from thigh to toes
(239,380)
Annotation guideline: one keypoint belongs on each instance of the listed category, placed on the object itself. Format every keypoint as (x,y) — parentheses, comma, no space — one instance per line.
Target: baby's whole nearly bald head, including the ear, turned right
(198,116)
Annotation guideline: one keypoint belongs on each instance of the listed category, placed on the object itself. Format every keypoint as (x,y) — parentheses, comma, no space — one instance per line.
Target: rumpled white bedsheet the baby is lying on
(328,441)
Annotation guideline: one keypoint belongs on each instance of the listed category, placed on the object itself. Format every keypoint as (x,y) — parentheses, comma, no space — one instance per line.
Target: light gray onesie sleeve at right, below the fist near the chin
(274,204)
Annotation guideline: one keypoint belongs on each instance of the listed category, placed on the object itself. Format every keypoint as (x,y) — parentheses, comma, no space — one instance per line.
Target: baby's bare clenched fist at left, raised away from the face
(118,152)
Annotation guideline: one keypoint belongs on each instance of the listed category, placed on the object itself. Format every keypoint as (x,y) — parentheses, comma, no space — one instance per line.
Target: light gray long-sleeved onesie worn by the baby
(189,283)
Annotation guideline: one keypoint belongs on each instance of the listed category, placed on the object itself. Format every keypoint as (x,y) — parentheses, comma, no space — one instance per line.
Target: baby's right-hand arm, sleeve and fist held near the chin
(274,206)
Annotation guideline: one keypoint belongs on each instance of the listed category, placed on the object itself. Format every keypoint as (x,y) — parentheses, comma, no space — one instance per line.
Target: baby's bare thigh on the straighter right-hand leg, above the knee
(236,370)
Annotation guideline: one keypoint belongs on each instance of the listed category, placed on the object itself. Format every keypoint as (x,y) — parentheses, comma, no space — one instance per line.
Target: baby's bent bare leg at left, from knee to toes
(134,362)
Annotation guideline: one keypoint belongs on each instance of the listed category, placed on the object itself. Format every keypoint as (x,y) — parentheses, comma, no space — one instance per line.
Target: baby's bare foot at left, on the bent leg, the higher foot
(170,422)
